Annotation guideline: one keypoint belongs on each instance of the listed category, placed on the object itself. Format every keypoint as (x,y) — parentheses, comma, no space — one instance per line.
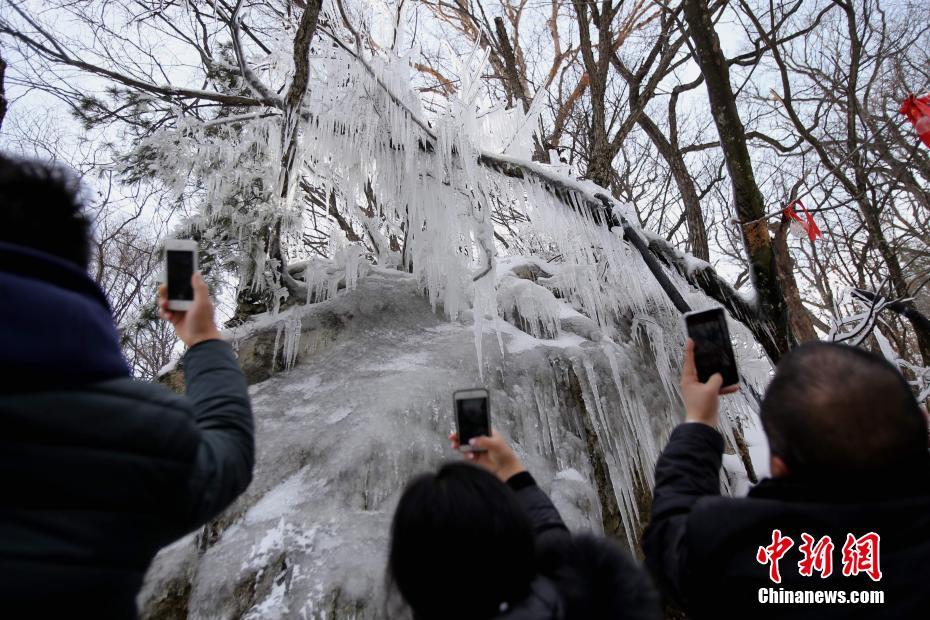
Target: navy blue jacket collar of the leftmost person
(56,328)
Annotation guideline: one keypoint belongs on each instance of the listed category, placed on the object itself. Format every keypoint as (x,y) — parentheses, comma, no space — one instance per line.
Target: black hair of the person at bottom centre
(461,545)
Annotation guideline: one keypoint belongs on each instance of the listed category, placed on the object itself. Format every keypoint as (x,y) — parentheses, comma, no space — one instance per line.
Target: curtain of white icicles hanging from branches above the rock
(363,124)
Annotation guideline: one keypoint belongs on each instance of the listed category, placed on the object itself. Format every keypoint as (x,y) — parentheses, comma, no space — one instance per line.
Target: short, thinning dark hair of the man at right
(833,409)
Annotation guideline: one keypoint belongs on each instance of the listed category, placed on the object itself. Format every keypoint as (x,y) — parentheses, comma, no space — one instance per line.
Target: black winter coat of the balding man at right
(703,547)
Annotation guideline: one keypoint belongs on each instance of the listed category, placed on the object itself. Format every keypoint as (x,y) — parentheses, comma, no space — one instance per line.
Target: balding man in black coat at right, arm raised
(845,517)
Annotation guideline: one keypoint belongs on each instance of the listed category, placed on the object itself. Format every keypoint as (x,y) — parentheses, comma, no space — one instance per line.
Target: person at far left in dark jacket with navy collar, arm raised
(97,471)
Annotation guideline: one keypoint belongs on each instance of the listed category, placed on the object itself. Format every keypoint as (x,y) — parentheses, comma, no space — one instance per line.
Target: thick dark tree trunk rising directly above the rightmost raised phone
(747,198)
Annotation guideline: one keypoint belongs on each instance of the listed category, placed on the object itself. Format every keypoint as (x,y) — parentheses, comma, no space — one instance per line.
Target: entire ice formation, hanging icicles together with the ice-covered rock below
(582,357)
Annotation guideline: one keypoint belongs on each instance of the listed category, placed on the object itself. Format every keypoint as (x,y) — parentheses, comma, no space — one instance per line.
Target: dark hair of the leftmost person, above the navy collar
(41,209)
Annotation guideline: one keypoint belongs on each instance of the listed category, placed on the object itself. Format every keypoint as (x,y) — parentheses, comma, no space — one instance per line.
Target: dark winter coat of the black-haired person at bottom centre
(581,577)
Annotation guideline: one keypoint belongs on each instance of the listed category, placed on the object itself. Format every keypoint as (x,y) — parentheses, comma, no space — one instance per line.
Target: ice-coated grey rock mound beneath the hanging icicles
(353,397)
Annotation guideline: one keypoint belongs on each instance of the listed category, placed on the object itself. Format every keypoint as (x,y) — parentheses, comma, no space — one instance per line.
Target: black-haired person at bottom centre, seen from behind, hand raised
(481,540)
